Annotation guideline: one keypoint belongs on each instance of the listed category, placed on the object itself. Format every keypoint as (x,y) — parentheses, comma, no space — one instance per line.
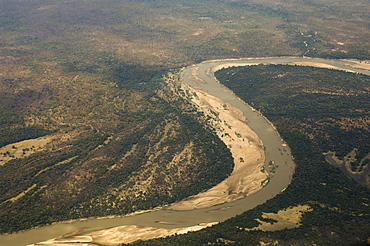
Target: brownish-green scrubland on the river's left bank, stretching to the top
(88,72)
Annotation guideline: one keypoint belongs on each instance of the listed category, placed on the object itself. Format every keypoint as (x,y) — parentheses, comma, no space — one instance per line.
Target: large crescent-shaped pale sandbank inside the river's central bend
(245,147)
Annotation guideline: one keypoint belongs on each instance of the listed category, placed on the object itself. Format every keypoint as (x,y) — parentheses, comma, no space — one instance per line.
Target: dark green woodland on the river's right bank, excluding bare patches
(300,102)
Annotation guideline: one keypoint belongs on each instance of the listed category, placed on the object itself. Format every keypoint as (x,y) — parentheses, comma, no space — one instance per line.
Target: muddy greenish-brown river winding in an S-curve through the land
(274,146)
